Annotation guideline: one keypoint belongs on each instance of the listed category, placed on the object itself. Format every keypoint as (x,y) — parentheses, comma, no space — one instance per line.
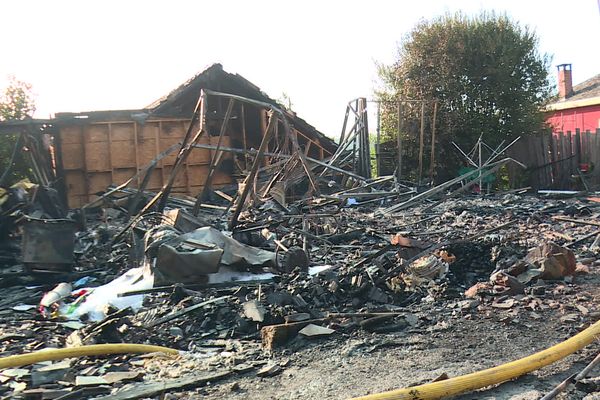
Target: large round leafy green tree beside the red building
(486,73)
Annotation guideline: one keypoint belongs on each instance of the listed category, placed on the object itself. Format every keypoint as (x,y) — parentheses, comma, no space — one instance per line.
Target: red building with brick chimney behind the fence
(578,107)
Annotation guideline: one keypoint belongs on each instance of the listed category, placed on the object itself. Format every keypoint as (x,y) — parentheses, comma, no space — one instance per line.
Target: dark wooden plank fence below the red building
(557,161)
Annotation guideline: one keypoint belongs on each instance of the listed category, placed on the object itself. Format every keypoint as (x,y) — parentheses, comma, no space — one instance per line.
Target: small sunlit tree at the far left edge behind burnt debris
(16,103)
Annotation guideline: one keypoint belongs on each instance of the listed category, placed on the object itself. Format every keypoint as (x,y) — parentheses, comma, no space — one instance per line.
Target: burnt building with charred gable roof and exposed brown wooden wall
(104,148)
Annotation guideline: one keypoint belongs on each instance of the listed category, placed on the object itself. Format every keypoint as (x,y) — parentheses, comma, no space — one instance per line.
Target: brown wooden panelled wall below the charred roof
(99,154)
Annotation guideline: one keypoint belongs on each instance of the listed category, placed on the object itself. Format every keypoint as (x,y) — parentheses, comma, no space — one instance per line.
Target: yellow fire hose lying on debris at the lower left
(91,350)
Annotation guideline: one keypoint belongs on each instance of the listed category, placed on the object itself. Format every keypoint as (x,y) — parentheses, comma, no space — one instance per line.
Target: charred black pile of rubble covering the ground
(232,301)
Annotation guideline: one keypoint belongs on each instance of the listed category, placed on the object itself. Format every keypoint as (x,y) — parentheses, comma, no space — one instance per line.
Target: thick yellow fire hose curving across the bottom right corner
(491,376)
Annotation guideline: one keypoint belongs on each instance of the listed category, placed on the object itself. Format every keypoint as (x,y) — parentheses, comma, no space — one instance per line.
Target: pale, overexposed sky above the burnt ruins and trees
(95,55)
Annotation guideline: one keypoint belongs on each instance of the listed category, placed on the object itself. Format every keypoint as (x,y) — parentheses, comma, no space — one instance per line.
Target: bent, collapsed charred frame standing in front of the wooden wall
(288,156)
